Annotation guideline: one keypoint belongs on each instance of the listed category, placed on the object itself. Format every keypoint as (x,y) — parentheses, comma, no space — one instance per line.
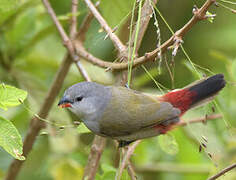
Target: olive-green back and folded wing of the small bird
(129,111)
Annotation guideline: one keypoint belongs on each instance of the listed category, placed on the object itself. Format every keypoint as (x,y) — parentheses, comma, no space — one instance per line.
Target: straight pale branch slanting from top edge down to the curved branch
(116,41)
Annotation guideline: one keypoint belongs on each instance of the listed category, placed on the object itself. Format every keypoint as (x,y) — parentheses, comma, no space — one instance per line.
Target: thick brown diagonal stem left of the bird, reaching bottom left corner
(36,125)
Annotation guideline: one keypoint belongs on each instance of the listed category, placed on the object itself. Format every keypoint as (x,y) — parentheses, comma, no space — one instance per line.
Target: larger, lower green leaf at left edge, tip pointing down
(10,139)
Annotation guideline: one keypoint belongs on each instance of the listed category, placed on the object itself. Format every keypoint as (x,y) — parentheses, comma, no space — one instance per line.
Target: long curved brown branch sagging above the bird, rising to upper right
(199,15)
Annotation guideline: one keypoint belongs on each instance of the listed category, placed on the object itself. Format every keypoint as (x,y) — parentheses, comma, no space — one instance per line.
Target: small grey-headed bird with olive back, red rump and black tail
(128,115)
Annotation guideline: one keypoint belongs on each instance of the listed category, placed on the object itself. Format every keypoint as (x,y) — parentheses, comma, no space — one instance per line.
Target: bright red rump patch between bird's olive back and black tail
(181,99)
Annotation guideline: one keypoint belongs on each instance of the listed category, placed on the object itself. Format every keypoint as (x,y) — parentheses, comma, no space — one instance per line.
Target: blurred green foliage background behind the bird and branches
(31,52)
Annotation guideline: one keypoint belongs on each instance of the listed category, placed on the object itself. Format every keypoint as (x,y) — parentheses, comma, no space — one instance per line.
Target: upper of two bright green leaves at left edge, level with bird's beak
(11,96)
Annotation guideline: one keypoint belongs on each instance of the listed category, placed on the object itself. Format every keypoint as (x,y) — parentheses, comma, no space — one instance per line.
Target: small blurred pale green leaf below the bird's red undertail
(168,144)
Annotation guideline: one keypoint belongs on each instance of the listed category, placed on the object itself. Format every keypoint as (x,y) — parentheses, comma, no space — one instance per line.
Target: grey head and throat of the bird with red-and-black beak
(88,101)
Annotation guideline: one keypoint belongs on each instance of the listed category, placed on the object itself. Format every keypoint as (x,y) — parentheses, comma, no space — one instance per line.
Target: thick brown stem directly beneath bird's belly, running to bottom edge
(94,157)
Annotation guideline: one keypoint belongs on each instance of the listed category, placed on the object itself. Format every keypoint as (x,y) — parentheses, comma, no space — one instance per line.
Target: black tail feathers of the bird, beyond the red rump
(207,89)
